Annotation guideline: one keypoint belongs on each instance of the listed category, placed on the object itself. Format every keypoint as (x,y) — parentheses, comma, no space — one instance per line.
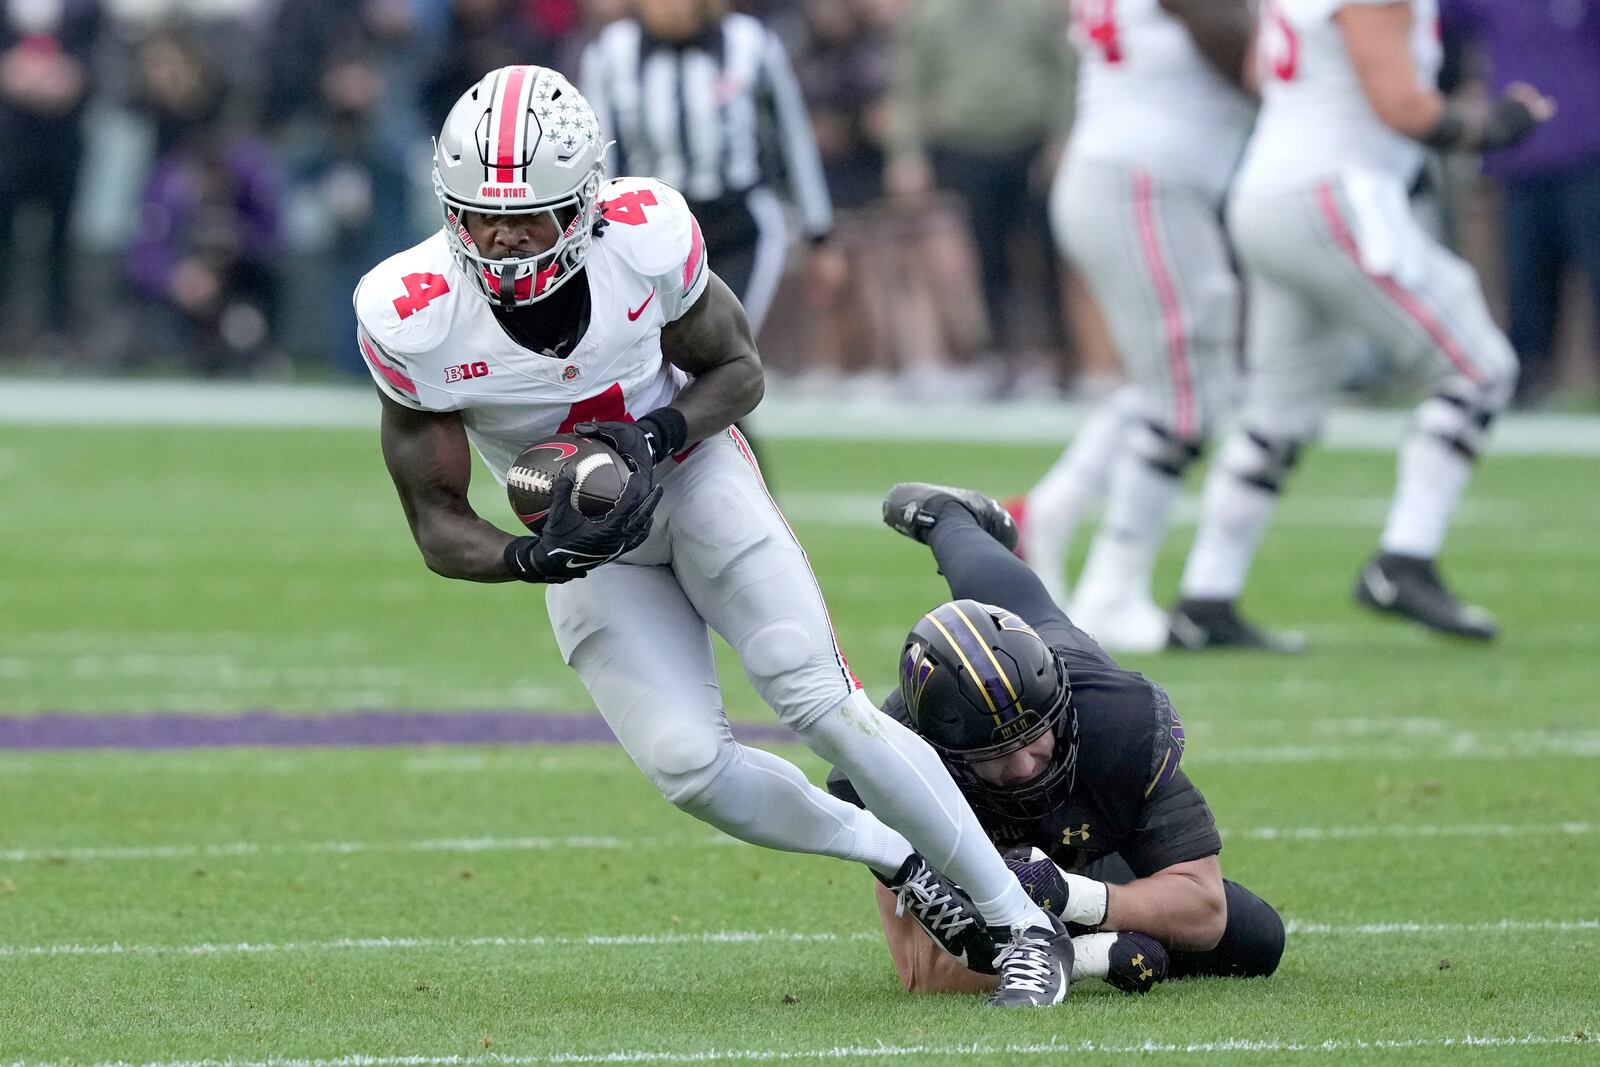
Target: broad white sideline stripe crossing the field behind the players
(783,415)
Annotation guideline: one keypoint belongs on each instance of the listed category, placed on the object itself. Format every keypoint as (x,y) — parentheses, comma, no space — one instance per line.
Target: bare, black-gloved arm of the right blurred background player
(1378,38)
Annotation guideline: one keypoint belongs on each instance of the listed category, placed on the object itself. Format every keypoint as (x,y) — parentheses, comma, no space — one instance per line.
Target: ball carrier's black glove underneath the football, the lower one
(572,545)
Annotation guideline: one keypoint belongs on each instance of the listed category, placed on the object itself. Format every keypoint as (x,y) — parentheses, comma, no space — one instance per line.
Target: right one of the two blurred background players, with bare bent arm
(1324,230)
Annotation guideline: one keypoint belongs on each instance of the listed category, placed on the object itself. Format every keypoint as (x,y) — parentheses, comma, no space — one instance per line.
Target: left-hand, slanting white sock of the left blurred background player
(1071,489)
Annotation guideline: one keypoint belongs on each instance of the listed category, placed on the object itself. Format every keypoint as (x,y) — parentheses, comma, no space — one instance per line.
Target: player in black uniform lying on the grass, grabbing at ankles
(1070,761)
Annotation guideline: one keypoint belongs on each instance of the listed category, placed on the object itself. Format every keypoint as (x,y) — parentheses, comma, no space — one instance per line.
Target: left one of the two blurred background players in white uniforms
(1138,210)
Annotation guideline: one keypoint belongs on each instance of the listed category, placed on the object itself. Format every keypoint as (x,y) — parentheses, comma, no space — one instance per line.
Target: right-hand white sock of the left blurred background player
(1138,513)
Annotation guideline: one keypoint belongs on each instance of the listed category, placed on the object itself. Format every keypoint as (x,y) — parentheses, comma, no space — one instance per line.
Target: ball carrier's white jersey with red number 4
(433,343)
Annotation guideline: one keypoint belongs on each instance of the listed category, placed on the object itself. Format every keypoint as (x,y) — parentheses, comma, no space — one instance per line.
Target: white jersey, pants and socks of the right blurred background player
(1322,223)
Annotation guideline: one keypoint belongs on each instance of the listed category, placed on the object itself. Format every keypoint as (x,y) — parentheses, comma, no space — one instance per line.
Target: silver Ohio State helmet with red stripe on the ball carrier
(521,142)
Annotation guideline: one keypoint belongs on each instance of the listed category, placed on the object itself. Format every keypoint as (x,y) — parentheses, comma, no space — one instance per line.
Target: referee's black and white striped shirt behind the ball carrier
(713,118)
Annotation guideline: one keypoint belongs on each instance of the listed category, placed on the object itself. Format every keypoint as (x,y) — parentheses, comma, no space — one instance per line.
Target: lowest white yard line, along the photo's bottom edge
(865,1052)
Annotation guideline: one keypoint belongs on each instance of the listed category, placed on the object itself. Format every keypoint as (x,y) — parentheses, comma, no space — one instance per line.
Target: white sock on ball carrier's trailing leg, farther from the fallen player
(766,801)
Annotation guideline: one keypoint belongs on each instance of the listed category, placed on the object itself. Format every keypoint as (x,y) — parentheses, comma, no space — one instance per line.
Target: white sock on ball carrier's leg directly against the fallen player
(905,783)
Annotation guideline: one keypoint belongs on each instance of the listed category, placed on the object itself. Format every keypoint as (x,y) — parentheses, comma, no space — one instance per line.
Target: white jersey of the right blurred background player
(1316,122)
